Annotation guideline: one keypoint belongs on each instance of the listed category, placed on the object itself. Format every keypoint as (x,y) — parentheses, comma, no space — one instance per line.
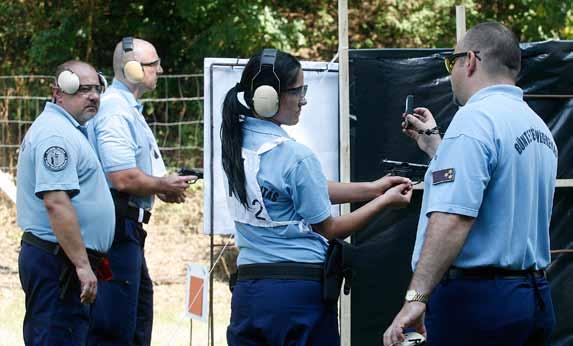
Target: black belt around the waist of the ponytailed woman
(281,271)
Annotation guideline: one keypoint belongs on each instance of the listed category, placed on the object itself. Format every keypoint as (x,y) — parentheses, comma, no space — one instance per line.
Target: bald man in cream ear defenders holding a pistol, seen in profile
(130,157)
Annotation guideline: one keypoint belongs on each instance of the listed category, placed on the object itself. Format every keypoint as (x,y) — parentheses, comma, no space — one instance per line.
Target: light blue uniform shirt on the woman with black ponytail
(293,188)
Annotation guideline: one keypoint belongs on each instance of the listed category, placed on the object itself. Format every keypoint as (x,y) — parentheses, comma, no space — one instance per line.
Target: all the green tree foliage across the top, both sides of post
(36,35)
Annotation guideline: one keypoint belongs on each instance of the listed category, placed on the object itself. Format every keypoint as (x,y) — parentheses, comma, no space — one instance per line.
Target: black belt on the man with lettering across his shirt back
(491,273)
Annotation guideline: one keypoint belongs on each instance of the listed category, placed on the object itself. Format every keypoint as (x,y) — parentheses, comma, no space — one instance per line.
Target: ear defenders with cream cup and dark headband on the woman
(266,86)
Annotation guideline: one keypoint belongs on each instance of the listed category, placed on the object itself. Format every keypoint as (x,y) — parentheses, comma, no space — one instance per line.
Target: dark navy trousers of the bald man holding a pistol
(123,311)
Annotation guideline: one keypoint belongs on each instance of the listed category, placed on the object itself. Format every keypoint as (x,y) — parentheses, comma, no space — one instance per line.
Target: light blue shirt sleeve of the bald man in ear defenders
(116,146)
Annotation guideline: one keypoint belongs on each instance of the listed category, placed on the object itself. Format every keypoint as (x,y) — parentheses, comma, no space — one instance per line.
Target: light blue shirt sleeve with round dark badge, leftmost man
(55,161)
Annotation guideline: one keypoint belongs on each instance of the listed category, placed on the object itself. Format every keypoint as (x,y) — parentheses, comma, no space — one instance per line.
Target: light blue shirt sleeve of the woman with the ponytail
(308,188)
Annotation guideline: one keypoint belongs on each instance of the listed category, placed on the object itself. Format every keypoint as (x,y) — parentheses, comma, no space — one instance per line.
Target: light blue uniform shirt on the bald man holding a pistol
(118,133)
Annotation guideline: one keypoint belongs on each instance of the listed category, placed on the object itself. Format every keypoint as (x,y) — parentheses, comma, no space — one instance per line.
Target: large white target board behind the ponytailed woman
(318,129)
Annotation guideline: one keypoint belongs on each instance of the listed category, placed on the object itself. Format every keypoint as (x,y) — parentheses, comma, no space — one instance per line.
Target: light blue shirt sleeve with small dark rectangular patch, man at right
(460,175)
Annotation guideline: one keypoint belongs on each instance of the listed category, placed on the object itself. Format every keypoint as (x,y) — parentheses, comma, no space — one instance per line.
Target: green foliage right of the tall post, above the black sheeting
(432,23)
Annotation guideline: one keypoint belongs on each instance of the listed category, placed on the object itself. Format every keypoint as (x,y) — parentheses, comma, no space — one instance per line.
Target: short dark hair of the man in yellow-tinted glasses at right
(498,47)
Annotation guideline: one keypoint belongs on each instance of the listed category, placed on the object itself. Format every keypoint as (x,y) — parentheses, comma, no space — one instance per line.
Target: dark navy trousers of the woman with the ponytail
(281,312)
